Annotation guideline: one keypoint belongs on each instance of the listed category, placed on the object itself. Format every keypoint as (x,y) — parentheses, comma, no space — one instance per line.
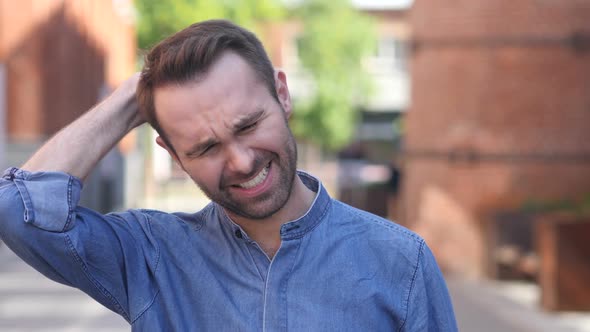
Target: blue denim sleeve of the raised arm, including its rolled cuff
(110,257)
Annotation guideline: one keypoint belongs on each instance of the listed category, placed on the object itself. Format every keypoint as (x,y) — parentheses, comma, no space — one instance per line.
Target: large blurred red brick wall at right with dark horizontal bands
(495,84)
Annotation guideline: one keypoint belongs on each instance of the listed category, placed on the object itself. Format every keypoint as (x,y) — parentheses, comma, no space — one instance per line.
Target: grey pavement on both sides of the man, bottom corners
(31,303)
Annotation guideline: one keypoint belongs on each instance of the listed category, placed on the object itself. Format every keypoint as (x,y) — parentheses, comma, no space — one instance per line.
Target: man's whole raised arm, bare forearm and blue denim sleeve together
(106,256)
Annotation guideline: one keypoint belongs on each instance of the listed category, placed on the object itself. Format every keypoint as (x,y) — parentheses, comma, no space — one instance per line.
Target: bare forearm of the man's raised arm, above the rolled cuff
(77,148)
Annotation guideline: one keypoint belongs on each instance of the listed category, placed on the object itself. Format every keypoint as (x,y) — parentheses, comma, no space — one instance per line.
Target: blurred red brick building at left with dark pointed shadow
(58,55)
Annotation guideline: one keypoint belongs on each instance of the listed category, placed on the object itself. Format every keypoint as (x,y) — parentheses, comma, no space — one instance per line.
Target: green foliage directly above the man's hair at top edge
(158,19)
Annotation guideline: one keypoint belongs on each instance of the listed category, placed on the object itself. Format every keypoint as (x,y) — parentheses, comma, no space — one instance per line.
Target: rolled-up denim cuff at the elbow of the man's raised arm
(43,194)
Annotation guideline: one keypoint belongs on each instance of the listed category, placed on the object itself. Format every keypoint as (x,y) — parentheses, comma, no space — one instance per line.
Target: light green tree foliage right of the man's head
(334,41)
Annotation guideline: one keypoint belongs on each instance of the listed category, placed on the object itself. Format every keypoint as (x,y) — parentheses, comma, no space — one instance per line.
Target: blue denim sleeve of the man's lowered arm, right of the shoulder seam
(429,304)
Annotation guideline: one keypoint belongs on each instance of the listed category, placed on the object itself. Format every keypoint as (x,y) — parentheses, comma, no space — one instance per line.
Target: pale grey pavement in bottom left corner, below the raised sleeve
(29,302)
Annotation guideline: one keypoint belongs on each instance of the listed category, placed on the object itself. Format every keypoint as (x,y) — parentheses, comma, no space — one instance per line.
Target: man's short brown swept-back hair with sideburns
(187,54)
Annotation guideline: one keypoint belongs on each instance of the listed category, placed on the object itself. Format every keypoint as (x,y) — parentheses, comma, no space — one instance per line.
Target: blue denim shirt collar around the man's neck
(299,227)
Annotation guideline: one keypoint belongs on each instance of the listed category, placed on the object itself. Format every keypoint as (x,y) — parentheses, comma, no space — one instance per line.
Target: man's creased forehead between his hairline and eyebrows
(226,94)
